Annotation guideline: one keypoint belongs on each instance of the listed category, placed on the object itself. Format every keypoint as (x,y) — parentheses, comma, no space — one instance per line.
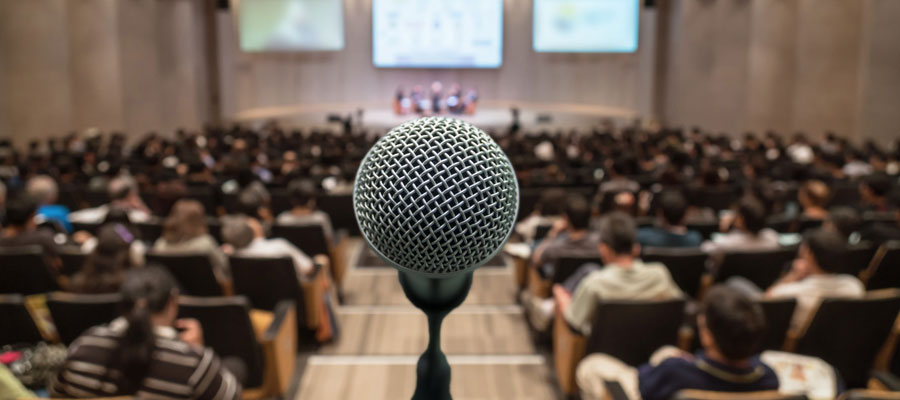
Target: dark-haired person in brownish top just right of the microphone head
(568,237)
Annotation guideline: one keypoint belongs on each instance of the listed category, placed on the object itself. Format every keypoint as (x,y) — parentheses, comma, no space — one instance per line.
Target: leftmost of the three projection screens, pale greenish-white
(291,25)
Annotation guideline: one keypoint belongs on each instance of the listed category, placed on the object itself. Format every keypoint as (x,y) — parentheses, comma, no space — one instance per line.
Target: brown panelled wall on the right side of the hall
(787,65)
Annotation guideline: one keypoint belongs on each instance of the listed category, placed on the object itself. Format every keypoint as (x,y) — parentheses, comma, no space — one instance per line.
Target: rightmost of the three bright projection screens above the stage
(586,26)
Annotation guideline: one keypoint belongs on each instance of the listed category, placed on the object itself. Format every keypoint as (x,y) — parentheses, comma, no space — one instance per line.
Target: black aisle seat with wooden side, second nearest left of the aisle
(268,281)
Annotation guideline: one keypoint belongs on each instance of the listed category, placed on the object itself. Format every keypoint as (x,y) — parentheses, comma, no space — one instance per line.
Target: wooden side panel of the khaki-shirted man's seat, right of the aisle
(568,350)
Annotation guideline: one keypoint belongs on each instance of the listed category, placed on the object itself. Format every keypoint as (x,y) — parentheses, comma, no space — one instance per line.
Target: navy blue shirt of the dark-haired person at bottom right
(674,374)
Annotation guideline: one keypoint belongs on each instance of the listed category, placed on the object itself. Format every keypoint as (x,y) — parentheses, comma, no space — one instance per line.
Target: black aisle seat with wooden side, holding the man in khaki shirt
(628,330)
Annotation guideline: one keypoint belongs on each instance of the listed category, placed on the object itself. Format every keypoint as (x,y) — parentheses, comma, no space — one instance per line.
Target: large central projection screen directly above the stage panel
(437,33)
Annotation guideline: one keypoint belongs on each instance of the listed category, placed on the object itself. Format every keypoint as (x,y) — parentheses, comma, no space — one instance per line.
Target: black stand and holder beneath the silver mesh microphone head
(436,297)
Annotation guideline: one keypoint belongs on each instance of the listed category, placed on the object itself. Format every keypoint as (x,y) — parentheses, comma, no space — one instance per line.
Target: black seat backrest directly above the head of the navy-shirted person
(762,267)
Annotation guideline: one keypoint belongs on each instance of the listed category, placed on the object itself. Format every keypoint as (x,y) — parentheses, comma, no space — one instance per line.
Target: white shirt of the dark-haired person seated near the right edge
(810,291)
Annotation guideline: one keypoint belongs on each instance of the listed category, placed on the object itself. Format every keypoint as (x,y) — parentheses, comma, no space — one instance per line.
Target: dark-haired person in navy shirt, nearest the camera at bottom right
(731,327)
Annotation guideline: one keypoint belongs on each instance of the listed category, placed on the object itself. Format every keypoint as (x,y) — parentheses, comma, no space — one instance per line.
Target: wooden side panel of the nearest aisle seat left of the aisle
(277,335)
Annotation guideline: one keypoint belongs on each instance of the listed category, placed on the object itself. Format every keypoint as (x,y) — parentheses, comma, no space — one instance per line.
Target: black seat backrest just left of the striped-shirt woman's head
(75,313)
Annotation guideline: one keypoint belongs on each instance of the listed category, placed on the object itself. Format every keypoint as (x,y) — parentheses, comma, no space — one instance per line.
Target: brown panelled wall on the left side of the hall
(132,65)
